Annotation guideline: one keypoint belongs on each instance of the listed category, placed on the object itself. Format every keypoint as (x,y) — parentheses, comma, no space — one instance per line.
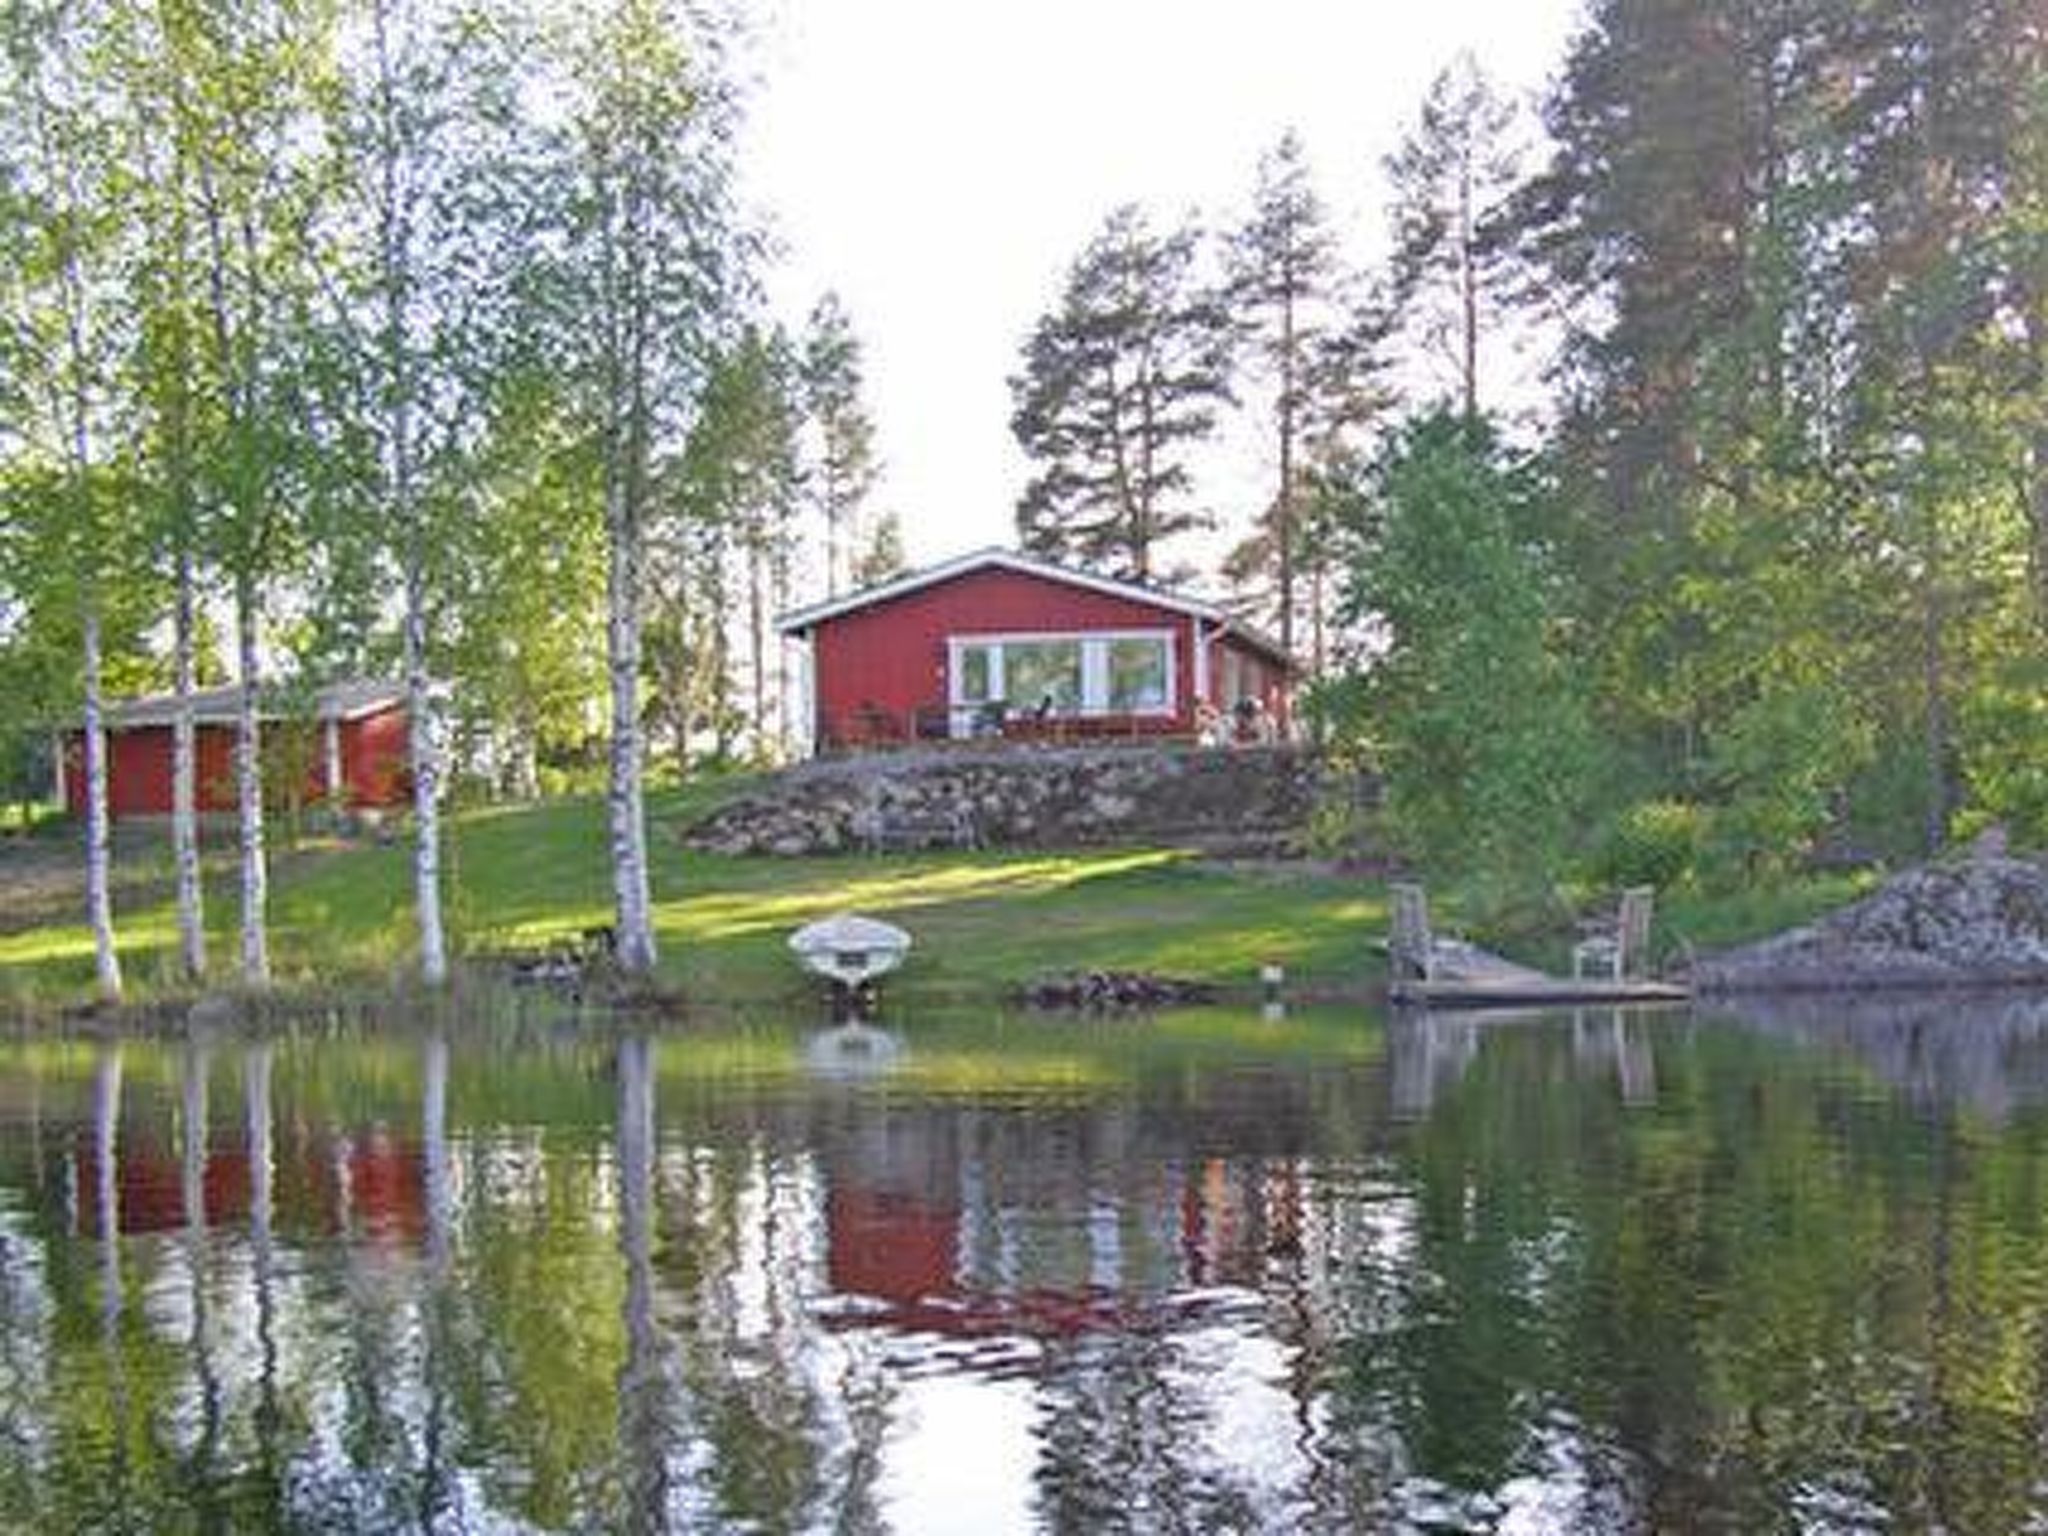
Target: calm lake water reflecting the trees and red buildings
(1203,1273)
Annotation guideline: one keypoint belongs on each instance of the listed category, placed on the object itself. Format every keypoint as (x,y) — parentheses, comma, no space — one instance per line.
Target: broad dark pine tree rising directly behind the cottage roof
(1119,386)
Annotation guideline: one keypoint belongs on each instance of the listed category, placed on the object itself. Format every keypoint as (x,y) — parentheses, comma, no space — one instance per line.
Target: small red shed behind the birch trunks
(357,757)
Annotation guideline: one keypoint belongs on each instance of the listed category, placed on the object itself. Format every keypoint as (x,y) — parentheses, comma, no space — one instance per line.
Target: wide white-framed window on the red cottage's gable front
(1066,675)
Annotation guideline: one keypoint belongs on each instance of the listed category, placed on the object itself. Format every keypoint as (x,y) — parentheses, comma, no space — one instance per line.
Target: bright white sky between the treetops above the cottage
(941,163)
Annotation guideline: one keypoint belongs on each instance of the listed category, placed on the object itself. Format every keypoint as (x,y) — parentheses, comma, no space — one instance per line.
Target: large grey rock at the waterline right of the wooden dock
(1973,923)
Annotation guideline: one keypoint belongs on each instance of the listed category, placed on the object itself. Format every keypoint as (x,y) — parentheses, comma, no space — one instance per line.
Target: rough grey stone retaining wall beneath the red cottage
(1244,800)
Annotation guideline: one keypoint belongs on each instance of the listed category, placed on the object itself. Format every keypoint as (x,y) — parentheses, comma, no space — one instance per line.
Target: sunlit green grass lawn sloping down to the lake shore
(982,921)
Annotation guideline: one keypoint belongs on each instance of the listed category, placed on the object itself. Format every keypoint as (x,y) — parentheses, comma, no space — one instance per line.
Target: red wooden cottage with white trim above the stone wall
(1005,644)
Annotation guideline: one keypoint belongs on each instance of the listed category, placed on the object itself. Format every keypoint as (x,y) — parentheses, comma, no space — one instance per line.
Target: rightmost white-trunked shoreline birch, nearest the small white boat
(644,167)
